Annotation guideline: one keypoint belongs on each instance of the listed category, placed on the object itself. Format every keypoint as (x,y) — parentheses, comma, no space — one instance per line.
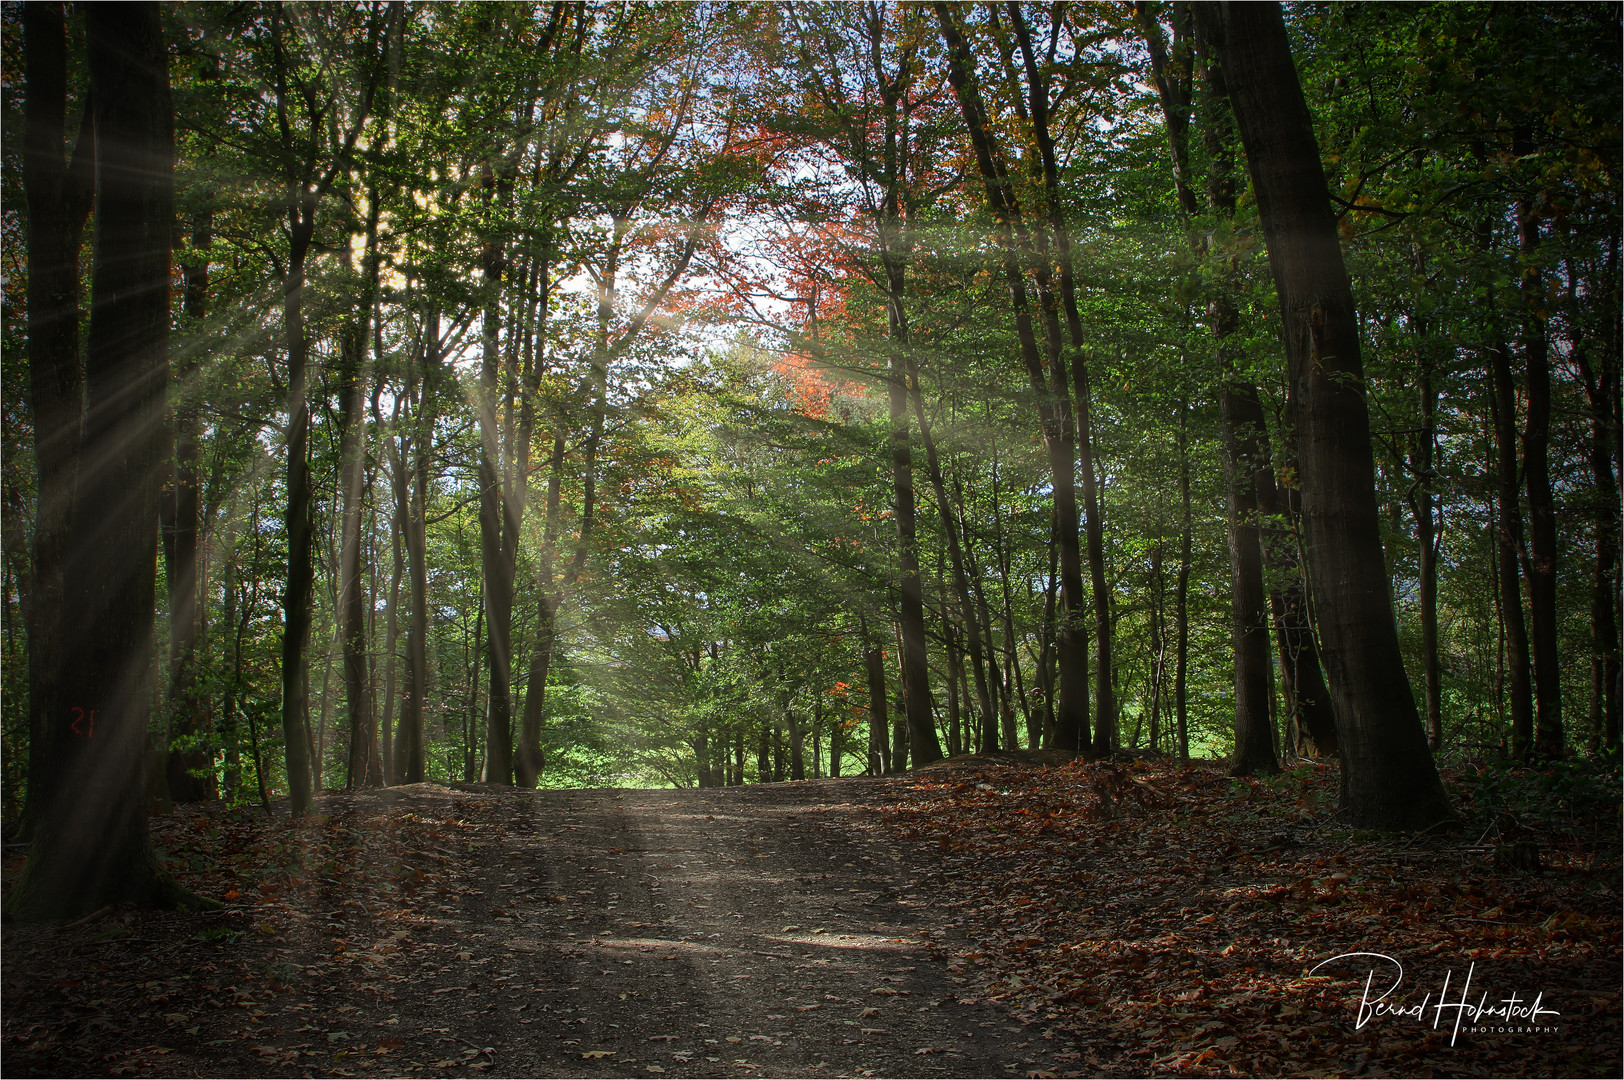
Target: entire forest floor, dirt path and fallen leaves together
(980,918)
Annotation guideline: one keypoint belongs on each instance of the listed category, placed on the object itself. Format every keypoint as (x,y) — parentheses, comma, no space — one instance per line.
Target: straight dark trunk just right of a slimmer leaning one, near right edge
(1542,504)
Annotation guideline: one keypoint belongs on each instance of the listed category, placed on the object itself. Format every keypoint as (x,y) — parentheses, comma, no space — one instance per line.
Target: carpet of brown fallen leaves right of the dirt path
(1154,907)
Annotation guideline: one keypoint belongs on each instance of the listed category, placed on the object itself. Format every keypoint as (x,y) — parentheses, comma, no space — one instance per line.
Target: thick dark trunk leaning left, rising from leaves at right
(1389,779)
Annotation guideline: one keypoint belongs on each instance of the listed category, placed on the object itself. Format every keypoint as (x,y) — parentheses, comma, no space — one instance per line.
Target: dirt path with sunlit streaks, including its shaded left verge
(748,931)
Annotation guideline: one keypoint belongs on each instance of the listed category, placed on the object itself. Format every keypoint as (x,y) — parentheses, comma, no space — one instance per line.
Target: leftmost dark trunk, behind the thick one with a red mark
(58,194)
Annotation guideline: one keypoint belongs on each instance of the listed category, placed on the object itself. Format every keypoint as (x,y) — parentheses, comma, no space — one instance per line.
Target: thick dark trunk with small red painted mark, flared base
(92,847)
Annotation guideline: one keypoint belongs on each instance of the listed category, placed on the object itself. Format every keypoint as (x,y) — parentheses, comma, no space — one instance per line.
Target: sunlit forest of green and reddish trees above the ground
(589,395)
